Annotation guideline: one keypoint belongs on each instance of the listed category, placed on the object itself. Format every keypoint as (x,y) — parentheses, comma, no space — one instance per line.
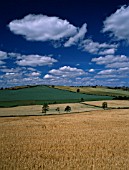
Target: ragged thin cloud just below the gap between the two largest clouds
(92,47)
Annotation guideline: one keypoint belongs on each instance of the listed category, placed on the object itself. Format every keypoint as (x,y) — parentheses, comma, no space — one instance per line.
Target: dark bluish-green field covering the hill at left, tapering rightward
(41,94)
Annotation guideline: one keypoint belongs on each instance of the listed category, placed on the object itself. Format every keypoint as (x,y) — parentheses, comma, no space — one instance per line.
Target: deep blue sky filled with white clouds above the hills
(64,42)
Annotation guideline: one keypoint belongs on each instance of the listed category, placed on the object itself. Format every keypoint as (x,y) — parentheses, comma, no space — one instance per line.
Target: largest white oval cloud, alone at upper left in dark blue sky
(42,28)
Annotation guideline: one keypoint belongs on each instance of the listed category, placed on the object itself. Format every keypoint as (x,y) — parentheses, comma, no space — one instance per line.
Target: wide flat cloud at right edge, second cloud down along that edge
(112,61)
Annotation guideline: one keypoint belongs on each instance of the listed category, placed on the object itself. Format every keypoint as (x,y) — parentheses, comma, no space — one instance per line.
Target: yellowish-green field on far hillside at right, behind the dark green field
(97,90)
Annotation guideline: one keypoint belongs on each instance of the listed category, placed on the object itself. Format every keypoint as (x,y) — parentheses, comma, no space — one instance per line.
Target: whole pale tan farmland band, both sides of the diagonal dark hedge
(36,110)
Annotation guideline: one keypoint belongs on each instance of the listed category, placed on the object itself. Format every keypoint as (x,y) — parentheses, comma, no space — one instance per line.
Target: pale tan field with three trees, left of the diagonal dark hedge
(37,109)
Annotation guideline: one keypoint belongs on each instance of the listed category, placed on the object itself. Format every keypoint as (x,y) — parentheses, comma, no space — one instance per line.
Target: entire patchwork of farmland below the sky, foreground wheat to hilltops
(86,137)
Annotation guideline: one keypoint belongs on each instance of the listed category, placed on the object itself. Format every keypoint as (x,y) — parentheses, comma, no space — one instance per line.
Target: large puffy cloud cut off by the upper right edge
(118,24)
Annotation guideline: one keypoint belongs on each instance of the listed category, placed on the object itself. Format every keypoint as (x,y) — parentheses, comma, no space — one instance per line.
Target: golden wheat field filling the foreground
(96,140)
